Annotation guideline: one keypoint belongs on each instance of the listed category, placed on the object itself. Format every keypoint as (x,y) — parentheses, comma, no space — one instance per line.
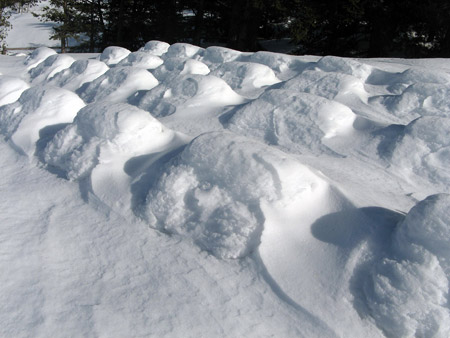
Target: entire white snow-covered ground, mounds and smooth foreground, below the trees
(180,191)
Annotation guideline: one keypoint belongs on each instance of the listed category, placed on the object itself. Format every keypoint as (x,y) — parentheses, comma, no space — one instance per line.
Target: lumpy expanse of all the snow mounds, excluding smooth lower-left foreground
(243,156)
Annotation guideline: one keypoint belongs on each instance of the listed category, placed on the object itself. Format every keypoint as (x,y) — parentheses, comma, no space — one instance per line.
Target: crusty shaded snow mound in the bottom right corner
(407,292)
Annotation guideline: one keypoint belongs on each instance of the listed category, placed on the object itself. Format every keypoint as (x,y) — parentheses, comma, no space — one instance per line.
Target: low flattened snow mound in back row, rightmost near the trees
(344,65)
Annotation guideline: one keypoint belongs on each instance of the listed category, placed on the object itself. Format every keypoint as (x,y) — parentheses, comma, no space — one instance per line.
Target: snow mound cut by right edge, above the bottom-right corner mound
(424,150)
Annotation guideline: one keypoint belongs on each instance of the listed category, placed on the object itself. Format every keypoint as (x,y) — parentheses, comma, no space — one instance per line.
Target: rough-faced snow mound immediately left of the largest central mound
(104,133)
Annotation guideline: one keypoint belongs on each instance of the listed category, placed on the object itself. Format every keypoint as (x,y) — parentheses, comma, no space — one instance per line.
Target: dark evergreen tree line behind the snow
(408,28)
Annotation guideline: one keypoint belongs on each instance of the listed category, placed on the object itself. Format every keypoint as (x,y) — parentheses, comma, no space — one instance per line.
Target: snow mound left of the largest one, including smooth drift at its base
(101,141)
